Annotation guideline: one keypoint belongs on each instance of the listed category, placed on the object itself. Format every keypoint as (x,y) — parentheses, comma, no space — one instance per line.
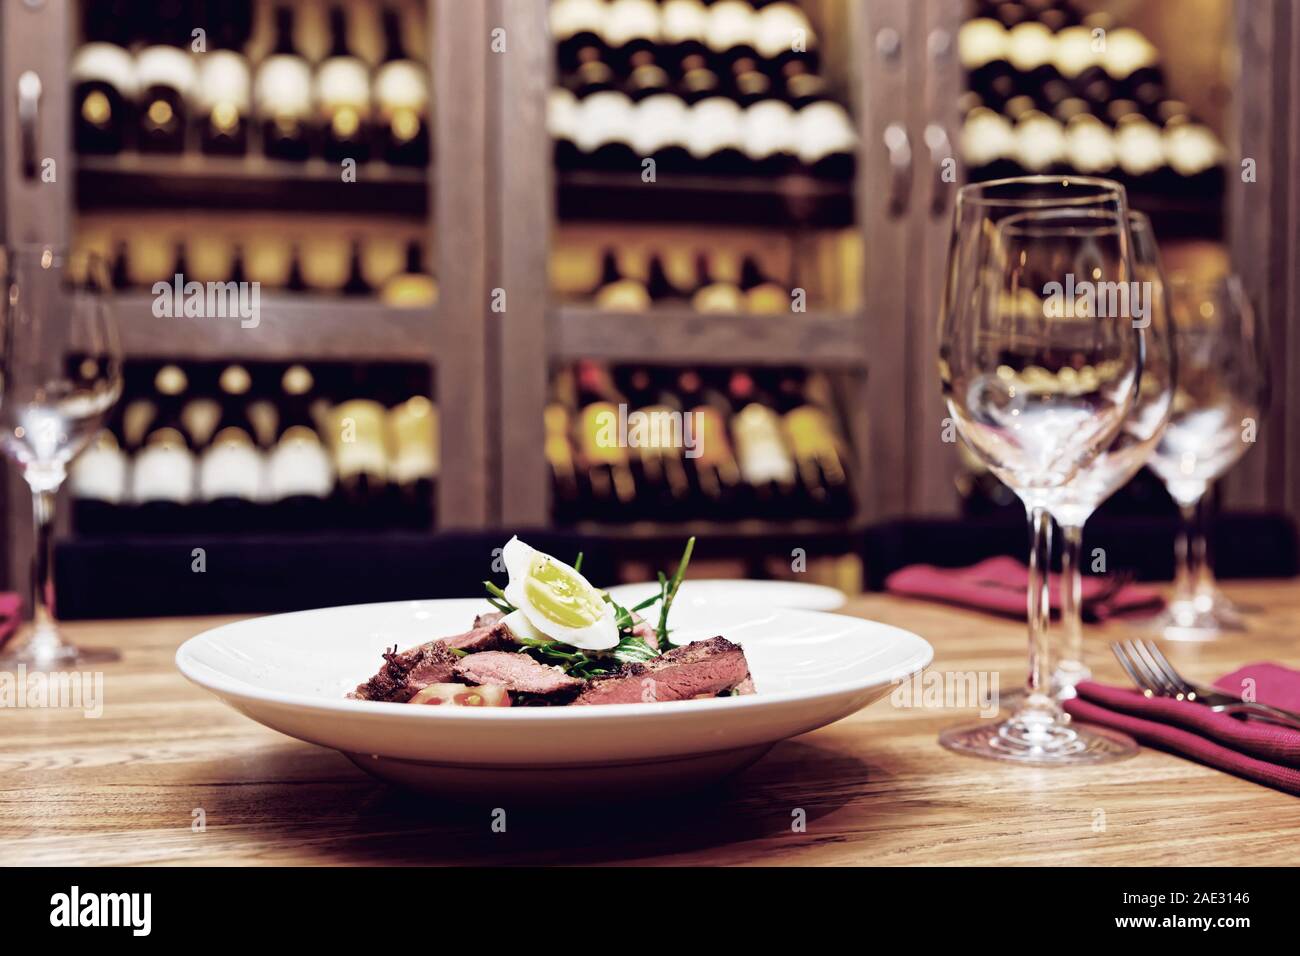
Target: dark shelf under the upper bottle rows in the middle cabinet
(779,202)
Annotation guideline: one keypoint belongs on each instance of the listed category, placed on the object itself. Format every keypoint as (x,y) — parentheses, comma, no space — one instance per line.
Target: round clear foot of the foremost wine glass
(1038,745)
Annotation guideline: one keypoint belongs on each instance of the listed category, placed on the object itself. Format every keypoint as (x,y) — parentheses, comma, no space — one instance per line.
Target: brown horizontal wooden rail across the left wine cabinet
(291,327)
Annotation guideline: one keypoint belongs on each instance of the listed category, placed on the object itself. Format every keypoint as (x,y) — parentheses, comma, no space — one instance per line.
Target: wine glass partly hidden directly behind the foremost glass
(1112,470)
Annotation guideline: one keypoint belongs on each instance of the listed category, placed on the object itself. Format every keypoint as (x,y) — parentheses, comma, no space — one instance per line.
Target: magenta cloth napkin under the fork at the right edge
(1262,752)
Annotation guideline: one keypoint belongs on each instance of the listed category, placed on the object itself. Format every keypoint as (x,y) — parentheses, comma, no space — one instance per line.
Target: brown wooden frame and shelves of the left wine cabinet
(46,185)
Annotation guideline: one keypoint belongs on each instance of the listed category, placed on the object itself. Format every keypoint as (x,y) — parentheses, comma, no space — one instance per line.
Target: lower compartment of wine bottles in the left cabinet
(261,448)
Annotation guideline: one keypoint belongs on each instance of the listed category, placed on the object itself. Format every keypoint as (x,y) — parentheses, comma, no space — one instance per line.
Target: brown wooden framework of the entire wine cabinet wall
(493,204)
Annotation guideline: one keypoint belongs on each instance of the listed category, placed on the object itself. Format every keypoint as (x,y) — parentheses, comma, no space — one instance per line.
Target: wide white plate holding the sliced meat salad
(292,672)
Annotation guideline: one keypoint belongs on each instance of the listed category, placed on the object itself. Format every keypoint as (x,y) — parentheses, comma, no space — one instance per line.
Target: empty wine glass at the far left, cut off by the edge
(60,374)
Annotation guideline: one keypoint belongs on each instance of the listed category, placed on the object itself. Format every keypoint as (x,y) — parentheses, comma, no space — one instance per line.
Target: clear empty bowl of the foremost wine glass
(1042,382)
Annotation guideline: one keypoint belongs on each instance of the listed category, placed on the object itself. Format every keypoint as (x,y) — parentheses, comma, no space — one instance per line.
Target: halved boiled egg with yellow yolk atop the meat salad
(556,600)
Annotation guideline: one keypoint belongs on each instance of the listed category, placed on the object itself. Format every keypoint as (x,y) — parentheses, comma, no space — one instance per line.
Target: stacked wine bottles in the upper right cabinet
(1064,88)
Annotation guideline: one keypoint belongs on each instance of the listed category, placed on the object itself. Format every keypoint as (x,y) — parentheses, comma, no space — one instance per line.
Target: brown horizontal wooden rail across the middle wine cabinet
(687,338)
